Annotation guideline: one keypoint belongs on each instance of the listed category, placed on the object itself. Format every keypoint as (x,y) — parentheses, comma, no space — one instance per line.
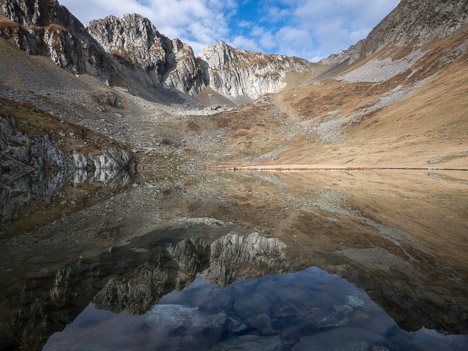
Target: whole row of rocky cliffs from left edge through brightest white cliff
(129,50)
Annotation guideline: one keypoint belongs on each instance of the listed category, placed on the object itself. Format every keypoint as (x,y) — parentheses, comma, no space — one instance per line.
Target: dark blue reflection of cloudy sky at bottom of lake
(311,307)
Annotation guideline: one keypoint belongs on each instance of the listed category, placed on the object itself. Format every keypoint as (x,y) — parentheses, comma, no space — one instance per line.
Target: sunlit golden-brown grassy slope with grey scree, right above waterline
(397,108)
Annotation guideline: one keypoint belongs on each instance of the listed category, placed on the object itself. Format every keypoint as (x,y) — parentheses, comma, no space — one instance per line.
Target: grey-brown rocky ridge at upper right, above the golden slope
(412,22)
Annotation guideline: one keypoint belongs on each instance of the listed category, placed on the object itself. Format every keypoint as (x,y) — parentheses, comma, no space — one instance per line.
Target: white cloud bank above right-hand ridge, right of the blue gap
(318,28)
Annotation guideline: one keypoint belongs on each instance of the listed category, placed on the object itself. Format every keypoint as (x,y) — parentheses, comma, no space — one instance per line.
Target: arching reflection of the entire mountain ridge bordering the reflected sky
(135,276)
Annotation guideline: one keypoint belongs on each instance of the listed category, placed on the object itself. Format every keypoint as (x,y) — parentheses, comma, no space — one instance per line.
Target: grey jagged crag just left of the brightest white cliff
(133,40)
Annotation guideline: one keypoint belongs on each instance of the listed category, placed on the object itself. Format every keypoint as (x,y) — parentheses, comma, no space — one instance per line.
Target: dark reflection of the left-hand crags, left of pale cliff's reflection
(128,278)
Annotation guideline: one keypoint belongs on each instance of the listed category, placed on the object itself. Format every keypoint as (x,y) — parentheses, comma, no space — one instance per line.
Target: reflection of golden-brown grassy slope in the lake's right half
(398,235)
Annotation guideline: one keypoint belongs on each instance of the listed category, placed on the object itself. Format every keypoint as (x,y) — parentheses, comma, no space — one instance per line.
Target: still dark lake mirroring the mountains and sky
(240,261)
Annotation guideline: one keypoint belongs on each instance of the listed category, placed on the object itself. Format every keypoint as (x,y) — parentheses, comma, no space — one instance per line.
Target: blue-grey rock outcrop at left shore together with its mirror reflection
(36,168)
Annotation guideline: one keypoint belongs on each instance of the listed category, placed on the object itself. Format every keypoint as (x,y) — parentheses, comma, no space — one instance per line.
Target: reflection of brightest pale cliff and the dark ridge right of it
(413,303)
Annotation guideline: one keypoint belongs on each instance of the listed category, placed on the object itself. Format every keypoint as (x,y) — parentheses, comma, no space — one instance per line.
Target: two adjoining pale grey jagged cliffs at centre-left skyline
(239,75)
